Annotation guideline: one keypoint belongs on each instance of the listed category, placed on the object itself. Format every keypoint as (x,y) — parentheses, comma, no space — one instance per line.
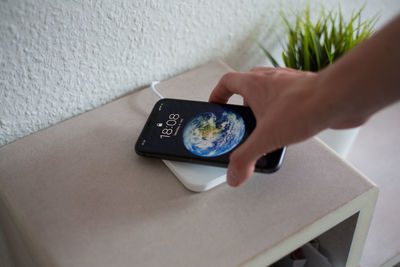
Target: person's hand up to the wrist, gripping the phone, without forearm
(286,109)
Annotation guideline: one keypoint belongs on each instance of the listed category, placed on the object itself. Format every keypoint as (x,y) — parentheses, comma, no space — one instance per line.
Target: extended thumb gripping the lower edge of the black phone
(243,160)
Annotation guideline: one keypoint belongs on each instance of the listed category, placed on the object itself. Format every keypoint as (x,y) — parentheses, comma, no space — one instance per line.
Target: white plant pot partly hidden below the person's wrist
(339,140)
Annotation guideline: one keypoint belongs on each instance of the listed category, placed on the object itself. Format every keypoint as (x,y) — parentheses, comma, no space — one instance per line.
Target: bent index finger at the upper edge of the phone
(231,83)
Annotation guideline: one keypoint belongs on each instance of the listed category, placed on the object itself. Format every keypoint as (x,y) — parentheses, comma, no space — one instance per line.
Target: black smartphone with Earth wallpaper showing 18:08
(200,132)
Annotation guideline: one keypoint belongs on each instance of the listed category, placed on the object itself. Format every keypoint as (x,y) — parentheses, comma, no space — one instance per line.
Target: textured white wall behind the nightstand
(61,58)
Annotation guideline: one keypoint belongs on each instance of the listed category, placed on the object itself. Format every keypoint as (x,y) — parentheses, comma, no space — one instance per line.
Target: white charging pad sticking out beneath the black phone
(197,177)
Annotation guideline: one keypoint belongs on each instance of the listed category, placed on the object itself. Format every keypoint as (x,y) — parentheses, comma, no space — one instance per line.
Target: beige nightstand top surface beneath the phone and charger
(80,196)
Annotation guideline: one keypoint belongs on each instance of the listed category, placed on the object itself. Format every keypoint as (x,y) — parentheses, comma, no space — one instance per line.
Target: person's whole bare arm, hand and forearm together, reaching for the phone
(291,106)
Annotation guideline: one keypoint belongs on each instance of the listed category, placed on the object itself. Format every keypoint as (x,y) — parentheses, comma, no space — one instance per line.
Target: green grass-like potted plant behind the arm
(312,46)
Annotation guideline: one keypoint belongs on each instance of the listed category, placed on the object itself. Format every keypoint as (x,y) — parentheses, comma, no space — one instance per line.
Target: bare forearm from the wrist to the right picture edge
(365,80)
